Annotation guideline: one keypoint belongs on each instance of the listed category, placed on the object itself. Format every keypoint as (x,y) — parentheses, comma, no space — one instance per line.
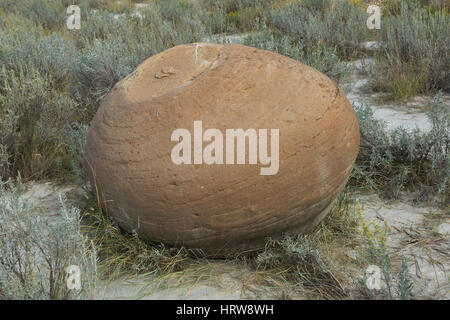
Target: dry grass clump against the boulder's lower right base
(311,262)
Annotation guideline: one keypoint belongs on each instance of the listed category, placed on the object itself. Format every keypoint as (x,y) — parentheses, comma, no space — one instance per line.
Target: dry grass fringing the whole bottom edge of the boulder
(291,266)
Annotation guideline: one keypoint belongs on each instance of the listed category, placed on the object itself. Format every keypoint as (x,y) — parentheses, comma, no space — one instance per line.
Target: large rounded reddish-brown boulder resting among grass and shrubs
(221,208)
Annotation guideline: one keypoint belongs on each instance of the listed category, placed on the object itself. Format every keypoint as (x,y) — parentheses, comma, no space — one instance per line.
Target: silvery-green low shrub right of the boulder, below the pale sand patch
(394,160)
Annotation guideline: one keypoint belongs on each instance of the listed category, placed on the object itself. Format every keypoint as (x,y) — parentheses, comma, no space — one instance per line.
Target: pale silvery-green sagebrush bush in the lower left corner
(35,250)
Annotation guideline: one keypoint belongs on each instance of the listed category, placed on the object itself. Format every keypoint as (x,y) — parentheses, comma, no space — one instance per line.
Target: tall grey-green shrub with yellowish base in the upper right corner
(414,58)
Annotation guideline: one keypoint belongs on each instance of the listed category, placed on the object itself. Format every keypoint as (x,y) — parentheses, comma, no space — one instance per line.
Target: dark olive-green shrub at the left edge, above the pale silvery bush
(34,121)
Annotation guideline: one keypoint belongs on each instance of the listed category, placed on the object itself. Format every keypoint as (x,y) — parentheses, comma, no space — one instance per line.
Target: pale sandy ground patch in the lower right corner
(421,234)
